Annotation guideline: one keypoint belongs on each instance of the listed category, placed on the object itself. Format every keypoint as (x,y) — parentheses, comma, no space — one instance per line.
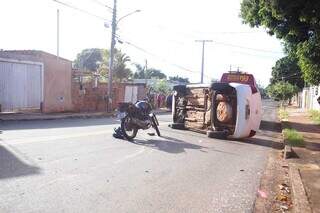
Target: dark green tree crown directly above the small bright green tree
(287,69)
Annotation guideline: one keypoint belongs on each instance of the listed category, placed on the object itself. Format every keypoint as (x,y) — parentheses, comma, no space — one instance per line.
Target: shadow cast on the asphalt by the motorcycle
(170,145)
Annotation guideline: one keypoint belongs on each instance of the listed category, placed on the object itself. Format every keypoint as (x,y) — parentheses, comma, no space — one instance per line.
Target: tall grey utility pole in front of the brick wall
(113,43)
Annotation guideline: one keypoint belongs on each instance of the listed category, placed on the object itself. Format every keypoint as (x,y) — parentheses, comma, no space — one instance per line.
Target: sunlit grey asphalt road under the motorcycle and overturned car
(77,166)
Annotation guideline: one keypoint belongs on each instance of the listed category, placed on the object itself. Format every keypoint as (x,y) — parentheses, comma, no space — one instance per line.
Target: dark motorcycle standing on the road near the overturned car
(134,117)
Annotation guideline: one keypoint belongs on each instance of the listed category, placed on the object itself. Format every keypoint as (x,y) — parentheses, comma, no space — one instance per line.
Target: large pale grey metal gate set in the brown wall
(21,85)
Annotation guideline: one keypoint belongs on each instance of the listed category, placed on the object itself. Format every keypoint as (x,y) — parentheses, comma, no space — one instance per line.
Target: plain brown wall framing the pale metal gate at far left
(57,78)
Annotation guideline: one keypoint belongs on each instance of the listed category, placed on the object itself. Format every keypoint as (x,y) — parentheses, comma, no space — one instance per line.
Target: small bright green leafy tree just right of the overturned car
(282,91)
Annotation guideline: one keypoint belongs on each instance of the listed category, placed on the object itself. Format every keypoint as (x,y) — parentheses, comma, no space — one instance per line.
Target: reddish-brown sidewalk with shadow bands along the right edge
(307,160)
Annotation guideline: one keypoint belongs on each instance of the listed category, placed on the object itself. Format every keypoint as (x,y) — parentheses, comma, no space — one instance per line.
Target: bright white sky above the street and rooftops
(164,33)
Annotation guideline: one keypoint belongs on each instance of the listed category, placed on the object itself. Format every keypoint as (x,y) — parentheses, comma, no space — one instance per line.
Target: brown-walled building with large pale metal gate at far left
(34,80)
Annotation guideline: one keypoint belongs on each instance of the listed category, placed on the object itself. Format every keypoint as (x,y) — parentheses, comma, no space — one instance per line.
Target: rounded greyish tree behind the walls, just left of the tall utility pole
(89,59)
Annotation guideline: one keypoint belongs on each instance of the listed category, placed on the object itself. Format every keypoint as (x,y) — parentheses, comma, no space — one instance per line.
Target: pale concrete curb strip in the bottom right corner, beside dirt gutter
(299,196)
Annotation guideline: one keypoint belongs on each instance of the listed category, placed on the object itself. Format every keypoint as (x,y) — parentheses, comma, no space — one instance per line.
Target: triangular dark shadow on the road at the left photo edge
(11,166)
